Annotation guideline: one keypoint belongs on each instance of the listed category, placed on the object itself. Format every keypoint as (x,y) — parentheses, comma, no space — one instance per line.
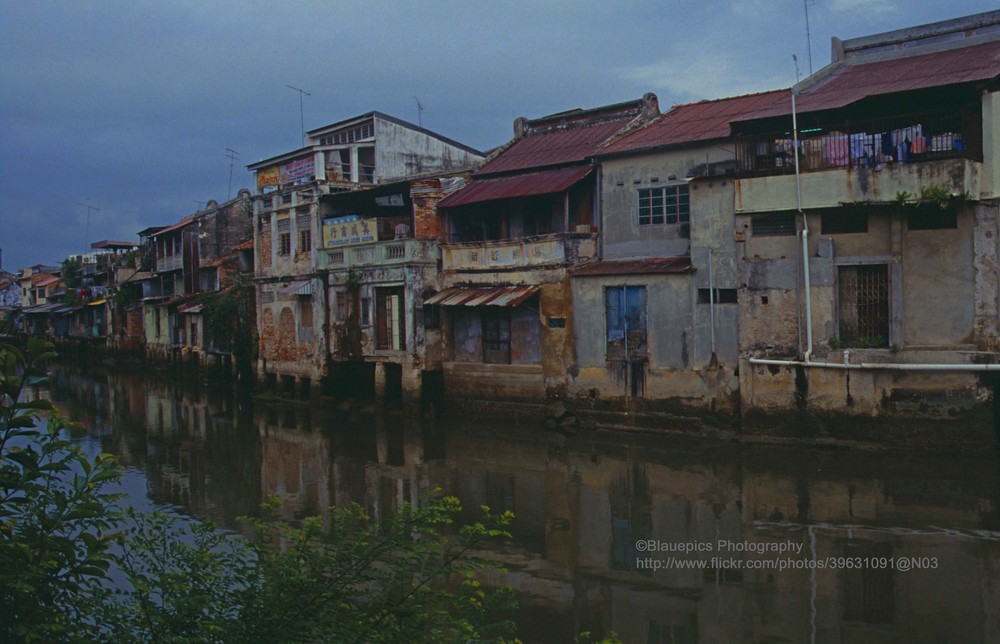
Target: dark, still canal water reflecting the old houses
(658,538)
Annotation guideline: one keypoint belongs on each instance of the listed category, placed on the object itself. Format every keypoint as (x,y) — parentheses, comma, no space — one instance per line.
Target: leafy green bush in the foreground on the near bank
(74,566)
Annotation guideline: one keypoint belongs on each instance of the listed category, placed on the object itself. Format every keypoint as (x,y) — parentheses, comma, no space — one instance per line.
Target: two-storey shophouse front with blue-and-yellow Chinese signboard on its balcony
(378,262)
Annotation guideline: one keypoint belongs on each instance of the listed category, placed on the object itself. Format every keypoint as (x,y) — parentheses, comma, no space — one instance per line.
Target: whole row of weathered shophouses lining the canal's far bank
(830,246)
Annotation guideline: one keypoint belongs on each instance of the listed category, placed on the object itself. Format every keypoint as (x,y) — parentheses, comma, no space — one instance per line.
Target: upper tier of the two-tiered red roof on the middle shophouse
(557,147)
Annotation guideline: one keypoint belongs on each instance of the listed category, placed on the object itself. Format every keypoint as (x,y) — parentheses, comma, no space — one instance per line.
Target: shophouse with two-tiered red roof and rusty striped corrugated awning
(528,217)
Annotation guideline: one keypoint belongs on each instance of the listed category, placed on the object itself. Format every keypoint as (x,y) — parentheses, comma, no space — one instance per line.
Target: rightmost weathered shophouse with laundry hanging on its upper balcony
(896,307)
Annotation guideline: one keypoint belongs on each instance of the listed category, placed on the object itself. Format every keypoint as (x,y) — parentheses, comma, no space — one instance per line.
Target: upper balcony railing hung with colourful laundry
(874,143)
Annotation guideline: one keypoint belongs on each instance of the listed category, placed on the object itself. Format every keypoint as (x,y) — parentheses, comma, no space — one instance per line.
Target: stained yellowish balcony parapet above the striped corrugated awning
(544,251)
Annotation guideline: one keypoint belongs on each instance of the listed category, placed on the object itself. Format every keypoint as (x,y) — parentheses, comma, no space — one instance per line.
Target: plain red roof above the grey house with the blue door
(700,121)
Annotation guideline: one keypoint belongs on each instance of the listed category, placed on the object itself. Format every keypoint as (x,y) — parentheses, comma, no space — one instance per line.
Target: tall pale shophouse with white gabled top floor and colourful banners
(305,257)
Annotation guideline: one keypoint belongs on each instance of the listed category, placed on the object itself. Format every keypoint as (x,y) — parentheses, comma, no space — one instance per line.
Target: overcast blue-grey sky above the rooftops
(130,106)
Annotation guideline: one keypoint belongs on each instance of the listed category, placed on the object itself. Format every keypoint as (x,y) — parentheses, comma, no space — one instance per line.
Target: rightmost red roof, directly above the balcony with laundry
(853,82)
